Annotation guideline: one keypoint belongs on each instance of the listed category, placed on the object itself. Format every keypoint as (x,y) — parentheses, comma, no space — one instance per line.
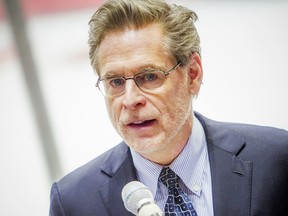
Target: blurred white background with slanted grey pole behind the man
(53,119)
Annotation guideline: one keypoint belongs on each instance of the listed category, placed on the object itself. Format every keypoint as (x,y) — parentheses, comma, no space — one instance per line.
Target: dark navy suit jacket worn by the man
(249,171)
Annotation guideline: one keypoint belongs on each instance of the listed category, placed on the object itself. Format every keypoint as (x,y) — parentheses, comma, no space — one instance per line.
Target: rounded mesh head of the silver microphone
(132,193)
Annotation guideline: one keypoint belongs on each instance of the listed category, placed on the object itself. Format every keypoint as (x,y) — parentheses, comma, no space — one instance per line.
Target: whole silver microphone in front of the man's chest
(139,200)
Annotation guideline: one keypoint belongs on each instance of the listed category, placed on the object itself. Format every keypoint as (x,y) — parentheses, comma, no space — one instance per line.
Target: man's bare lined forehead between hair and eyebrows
(132,49)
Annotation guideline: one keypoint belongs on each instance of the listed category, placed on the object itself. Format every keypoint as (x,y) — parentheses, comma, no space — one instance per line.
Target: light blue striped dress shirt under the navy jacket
(192,166)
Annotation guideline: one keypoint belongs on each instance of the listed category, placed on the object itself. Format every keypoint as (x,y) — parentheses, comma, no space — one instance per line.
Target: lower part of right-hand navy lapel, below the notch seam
(231,183)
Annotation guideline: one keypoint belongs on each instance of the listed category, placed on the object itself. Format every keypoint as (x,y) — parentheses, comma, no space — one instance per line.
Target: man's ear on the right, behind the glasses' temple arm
(195,73)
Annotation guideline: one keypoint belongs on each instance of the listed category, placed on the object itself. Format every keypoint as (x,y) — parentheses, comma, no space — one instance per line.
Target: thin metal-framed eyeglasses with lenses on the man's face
(147,80)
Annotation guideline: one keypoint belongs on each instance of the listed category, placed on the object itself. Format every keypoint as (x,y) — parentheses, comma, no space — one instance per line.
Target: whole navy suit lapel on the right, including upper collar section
(231,176)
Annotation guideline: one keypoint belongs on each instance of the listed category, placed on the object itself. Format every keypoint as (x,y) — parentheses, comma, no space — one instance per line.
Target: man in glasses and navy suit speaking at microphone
(147,57)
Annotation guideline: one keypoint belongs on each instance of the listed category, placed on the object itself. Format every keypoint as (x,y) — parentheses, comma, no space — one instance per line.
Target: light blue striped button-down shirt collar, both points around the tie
(191,158)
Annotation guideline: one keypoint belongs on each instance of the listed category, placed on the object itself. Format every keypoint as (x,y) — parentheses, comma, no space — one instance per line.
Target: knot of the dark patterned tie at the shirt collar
(169,178)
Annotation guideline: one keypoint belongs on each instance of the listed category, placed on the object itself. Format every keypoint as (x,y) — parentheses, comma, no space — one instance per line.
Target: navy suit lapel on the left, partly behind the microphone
(121,171)
